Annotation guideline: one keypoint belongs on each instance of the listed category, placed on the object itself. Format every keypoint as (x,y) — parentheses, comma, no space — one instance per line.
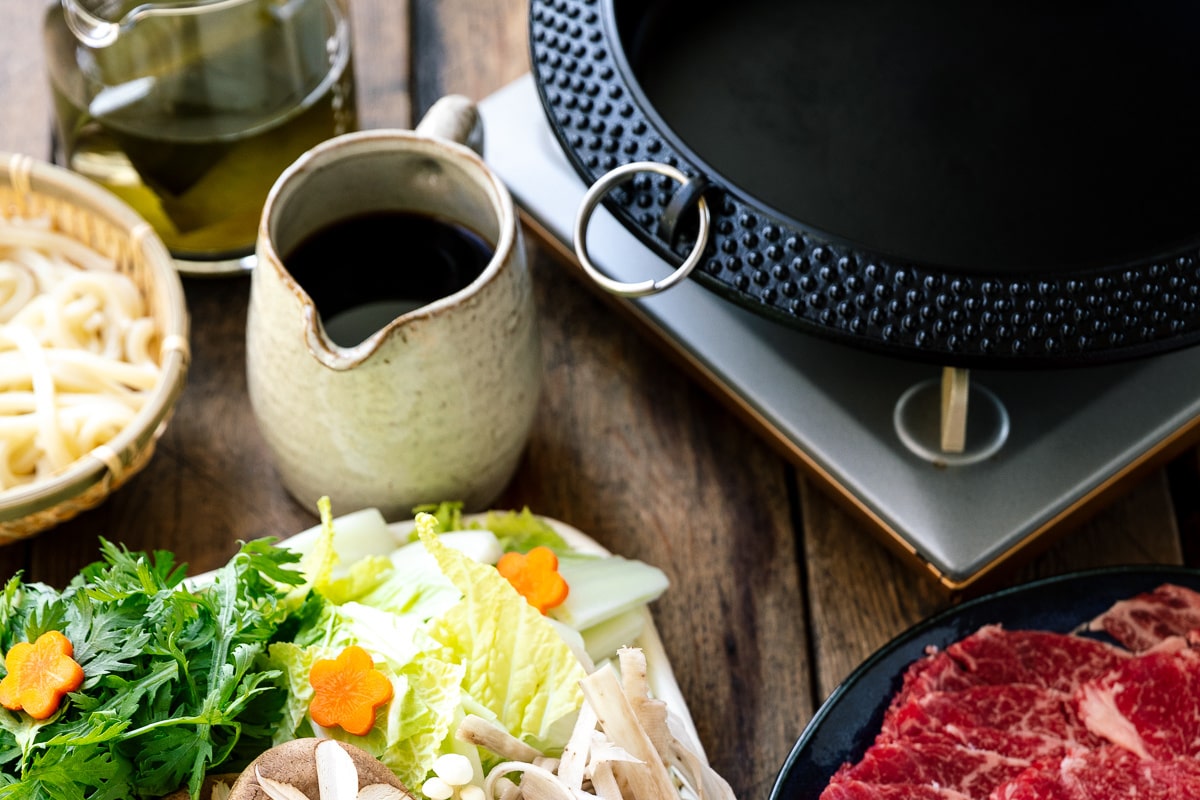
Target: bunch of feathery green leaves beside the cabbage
(173,684)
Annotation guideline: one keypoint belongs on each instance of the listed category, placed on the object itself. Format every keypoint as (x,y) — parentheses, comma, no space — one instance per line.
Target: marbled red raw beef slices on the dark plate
(1035,715)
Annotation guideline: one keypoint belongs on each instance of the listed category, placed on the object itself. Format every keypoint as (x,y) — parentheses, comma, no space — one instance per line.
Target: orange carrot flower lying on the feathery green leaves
(40,676)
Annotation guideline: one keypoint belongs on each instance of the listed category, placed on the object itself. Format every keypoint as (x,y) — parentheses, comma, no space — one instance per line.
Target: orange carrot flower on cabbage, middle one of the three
(347,691)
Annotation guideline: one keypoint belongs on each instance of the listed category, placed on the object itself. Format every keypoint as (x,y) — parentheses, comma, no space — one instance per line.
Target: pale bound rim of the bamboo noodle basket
(167,288)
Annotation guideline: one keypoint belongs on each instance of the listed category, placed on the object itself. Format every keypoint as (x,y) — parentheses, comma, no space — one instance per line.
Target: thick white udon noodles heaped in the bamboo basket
(76,360)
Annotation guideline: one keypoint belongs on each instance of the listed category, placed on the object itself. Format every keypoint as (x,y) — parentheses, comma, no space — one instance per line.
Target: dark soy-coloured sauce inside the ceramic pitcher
(404,261)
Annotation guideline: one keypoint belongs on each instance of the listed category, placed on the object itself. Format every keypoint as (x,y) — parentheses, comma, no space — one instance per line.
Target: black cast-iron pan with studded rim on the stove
(988,184)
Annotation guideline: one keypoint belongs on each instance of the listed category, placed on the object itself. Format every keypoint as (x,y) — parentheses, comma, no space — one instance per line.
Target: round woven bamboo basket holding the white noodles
(94,216)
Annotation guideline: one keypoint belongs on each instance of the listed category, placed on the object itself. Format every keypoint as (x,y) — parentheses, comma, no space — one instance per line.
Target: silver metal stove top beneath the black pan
(1072,431)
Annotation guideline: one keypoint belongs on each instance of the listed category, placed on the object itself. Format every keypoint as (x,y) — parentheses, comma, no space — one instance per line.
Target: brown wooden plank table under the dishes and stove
(777,594)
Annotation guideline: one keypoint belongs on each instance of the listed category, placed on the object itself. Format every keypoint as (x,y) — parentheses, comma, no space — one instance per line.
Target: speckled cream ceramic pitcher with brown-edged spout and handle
(437,404)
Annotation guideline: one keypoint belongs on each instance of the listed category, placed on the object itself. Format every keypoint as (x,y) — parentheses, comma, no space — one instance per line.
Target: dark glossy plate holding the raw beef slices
(848,723)
